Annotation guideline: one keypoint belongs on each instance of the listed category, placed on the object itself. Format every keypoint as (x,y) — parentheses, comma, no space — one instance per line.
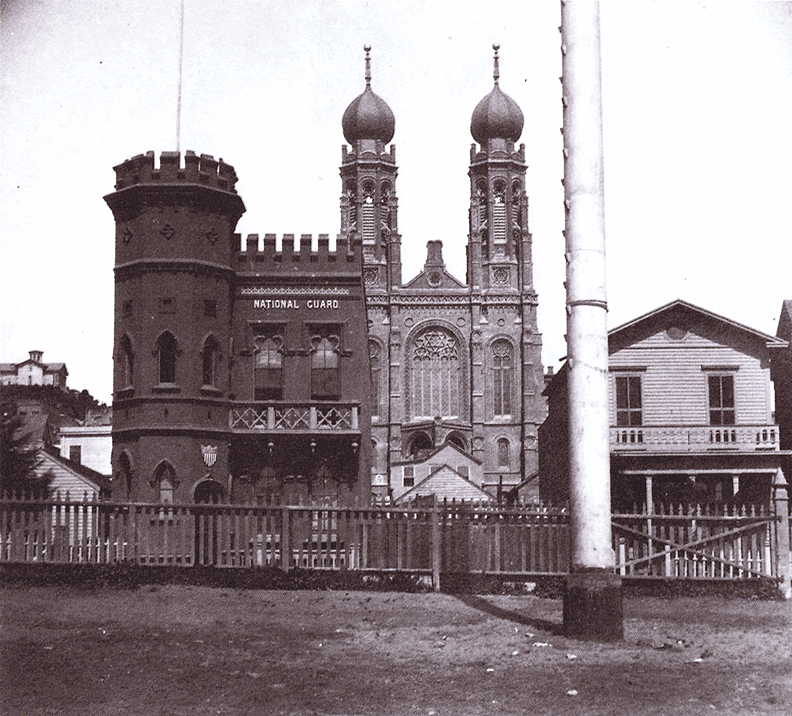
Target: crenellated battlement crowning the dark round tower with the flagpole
(204,170)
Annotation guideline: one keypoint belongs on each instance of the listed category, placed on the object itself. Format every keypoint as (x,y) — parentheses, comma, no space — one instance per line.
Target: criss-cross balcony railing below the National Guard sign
(294,417)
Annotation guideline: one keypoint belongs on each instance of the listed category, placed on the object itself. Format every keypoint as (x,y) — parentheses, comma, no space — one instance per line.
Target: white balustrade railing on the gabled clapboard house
(695,438)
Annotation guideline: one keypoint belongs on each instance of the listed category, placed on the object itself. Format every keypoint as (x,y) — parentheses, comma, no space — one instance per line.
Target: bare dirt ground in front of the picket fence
(198,650)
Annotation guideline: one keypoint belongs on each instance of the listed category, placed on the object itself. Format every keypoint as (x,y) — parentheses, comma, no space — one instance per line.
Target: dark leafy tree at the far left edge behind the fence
(18,460)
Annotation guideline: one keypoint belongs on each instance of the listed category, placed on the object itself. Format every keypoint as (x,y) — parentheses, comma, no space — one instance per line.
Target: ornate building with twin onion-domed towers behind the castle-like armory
(452,362)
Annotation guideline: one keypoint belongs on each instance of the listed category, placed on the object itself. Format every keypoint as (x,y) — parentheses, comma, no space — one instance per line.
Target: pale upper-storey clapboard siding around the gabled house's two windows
(674,386)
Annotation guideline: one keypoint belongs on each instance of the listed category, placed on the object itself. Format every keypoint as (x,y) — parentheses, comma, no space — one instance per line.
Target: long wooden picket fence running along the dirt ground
(441,537)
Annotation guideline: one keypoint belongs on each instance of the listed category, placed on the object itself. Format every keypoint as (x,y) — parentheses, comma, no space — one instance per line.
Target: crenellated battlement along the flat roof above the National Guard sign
(300,252)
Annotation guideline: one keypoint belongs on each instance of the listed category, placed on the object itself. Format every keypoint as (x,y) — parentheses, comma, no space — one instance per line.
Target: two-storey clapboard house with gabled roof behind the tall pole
(690,410)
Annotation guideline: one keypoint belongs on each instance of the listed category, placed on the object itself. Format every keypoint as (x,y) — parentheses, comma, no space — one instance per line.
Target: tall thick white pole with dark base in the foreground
(592,602)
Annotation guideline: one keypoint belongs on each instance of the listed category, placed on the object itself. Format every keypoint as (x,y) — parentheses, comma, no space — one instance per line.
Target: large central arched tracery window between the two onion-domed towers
(436,375)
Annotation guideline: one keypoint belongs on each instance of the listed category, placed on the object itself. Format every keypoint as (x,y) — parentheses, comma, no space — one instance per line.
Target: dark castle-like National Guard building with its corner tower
(237,372)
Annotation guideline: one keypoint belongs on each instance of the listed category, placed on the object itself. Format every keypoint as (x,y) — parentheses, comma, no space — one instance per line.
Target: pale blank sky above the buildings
(698,142)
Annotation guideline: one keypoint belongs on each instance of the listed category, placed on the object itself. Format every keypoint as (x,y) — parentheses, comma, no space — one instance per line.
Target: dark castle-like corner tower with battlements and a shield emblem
(174,282)
